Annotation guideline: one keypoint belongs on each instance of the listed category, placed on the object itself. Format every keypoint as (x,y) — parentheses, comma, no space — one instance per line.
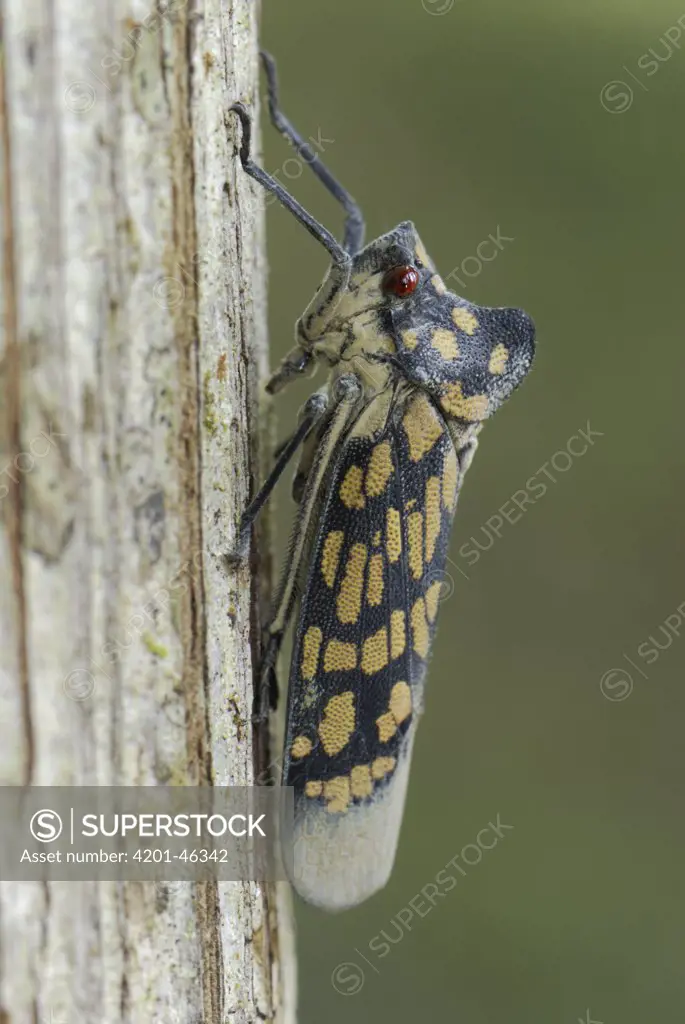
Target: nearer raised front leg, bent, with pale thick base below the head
(320,311)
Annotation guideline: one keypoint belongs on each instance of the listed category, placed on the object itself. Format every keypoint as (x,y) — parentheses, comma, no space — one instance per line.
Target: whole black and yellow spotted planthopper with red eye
(414,372)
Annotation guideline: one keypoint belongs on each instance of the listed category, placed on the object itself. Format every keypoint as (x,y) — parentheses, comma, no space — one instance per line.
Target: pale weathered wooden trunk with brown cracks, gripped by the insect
(133,356)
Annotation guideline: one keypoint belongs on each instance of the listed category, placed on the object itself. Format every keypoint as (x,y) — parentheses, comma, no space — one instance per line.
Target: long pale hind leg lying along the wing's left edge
(347,394)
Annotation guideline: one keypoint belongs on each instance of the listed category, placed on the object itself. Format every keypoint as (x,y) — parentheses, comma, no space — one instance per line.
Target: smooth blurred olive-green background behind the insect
(490,115)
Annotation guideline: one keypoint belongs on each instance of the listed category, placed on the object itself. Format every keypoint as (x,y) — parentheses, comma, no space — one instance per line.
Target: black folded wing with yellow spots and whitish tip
(367,618)
